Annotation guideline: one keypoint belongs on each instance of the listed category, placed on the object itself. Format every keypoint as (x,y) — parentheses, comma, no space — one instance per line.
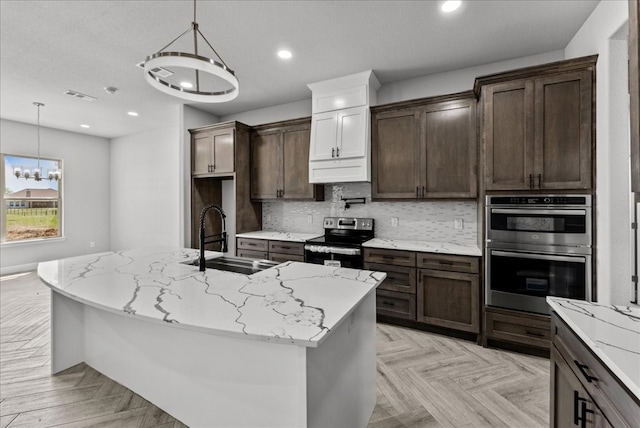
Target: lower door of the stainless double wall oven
(522,279)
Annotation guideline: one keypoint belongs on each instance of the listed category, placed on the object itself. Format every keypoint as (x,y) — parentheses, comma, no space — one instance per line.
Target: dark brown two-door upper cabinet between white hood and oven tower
(425,149)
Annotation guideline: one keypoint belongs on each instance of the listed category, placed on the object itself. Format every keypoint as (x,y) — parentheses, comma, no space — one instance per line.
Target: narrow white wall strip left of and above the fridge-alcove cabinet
(190,118)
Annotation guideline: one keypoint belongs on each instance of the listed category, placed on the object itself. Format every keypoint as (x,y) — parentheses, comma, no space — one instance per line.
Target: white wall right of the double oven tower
(612,147)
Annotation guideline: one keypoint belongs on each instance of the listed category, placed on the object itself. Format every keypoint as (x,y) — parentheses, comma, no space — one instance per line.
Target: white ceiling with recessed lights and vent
(48,47)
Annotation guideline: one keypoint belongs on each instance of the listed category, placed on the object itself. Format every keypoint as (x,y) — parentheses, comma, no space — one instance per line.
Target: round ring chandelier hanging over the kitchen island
(195,64)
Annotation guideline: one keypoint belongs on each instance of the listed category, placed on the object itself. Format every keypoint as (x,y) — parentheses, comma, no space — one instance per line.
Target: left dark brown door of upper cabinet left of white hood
(266,165)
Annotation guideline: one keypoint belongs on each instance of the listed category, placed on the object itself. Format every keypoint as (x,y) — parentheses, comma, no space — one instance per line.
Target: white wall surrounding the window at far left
(86,203)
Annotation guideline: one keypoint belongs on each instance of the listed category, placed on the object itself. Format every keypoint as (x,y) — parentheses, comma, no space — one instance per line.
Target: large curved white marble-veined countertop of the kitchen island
(294,303)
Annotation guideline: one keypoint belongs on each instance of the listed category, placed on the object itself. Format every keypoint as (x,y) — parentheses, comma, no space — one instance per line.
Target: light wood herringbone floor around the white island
(423,380)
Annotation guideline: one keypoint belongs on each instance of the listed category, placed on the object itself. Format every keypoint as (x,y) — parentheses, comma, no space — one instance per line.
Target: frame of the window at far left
(3,201)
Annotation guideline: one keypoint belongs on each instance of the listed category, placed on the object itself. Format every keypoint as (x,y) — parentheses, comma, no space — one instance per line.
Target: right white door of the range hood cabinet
(352,132)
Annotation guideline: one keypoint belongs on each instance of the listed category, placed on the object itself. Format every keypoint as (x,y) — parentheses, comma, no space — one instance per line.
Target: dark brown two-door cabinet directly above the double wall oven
(537,127)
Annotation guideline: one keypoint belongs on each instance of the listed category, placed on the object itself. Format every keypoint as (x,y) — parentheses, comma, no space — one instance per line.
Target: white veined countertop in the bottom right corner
(611,332)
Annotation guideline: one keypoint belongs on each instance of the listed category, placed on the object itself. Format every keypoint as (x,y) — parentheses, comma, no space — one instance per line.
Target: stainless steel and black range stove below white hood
(342,242)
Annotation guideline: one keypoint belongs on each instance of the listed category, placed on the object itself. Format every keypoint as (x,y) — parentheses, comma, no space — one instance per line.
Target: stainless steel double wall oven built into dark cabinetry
(538,246)
